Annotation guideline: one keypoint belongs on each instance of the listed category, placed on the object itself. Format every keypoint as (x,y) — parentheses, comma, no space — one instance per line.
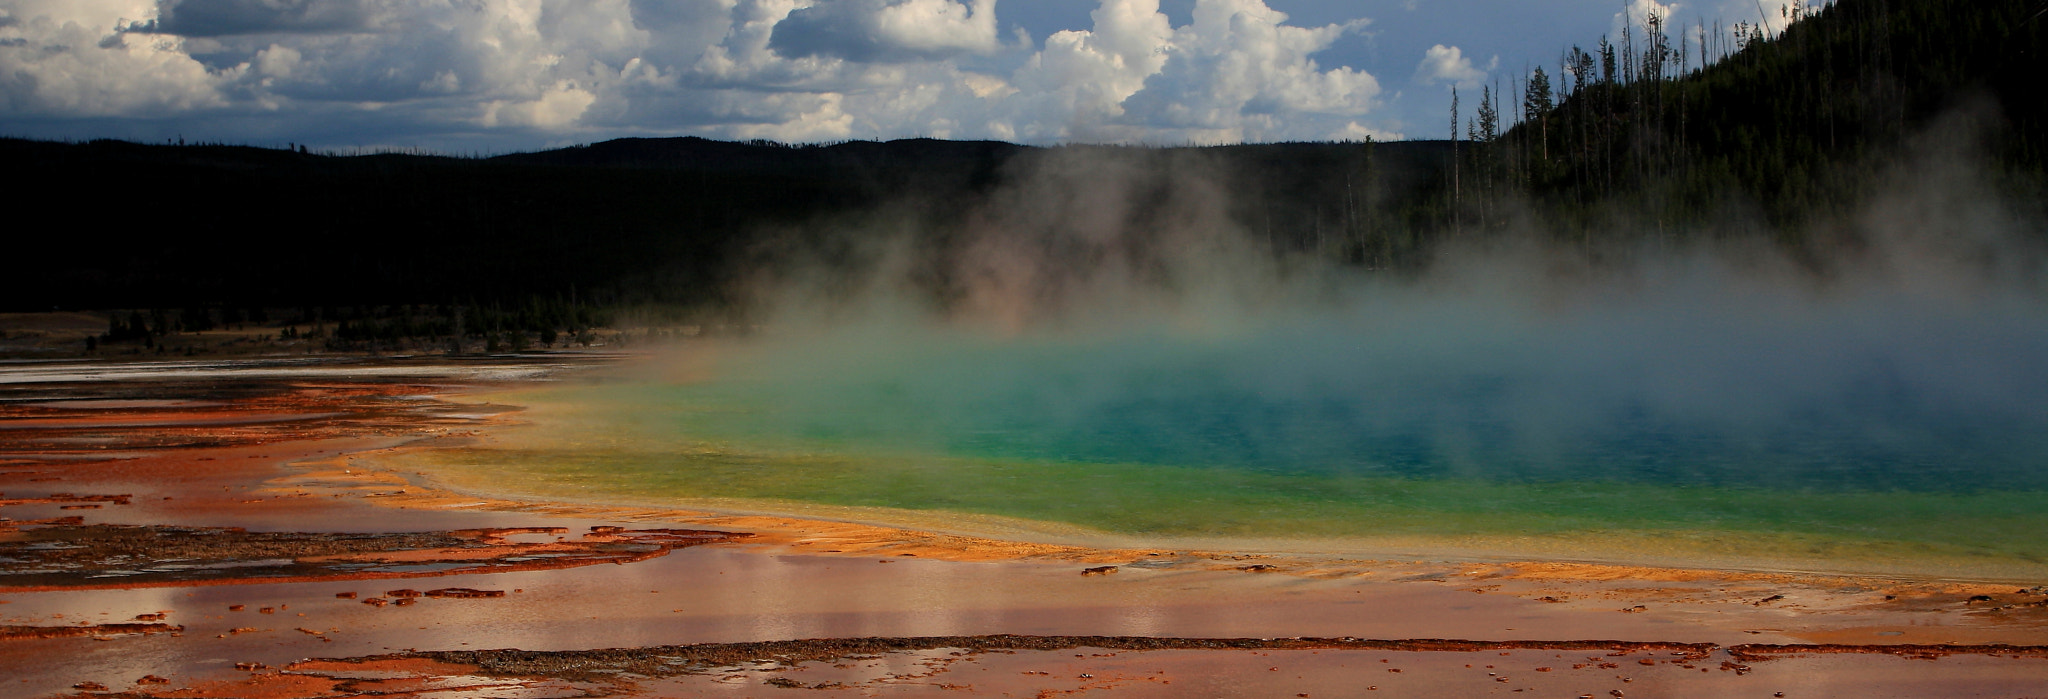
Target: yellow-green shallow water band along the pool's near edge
(2000,530)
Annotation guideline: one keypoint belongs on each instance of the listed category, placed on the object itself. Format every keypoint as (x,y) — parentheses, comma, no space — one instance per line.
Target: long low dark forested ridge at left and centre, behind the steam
(620,222)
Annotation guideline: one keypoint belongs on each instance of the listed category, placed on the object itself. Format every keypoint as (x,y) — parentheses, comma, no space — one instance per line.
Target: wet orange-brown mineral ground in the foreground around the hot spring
(210,530)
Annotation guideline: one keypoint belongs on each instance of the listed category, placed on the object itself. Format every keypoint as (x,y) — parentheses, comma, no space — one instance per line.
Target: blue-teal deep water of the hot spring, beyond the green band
(1248,405)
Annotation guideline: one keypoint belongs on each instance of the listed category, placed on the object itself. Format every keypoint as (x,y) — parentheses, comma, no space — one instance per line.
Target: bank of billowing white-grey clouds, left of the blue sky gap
(728,69)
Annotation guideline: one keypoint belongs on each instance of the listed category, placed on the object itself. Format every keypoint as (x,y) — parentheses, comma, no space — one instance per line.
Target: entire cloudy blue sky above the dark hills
(488,77)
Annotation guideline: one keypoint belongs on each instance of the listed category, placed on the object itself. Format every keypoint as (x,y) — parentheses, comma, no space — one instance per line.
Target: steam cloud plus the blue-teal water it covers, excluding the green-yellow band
(1103,309)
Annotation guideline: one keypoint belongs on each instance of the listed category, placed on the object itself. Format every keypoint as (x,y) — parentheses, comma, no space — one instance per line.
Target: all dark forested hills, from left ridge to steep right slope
(1633,136)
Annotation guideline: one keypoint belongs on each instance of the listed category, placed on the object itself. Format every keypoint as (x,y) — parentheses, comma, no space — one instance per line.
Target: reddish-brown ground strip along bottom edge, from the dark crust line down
(935,663)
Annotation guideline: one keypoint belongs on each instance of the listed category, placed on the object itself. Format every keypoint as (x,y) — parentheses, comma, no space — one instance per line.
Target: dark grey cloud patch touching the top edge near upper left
(259,17)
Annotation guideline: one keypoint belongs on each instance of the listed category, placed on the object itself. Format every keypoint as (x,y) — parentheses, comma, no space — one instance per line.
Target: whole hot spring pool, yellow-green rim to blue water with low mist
(1684,411)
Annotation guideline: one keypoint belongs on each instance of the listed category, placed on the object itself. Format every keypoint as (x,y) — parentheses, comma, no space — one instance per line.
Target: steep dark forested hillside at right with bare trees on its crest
(1791,126)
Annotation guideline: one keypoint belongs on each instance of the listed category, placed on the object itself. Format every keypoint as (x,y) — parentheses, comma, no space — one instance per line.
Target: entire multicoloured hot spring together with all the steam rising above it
(1156,372)
